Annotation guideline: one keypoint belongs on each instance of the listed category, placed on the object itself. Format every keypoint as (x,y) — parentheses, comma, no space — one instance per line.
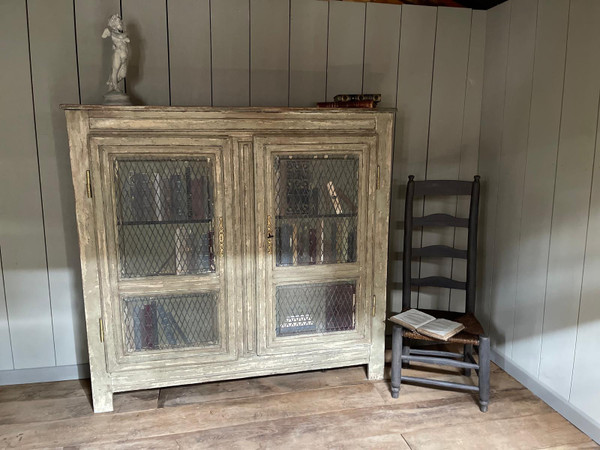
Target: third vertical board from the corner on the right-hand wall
(538,189)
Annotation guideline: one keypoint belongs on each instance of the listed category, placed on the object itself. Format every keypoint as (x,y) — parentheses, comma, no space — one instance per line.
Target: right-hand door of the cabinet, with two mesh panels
(314,223)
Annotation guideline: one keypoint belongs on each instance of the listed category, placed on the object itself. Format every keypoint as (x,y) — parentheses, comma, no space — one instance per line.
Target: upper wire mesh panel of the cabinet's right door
(316,202)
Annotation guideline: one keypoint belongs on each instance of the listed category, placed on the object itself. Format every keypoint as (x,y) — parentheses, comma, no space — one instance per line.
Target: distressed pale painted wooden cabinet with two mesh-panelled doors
(229,243)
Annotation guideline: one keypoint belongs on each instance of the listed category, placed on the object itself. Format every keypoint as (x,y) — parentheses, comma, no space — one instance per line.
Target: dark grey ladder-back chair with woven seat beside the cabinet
(472,337)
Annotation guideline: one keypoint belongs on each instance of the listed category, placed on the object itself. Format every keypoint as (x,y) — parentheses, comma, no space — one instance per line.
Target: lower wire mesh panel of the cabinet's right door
(315,308)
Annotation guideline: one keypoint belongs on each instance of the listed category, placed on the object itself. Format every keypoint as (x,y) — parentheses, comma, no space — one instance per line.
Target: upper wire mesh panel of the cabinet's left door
(164,216)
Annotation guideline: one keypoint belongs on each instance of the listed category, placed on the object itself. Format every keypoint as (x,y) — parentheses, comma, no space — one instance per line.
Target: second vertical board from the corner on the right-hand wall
(519,76)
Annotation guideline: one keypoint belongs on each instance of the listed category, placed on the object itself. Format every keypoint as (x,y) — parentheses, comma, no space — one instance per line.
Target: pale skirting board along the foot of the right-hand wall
(573,414)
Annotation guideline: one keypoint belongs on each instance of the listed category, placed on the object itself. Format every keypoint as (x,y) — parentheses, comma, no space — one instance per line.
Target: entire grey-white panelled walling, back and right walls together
(510,71)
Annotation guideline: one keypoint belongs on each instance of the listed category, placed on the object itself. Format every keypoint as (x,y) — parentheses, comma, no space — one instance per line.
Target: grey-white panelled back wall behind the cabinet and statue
(427,62)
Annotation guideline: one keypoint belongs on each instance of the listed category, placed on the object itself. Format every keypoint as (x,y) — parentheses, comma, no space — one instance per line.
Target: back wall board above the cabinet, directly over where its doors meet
(231,52)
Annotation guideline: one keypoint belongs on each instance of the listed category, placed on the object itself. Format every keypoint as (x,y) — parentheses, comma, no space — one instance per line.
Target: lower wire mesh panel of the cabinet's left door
(170,321)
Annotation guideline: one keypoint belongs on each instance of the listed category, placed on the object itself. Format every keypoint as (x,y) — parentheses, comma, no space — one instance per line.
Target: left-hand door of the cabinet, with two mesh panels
(162,212)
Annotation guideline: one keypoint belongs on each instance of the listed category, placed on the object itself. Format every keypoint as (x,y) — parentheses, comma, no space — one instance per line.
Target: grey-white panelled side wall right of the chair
(539,248)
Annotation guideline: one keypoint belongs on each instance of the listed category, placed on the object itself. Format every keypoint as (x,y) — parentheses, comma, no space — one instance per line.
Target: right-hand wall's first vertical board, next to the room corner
(490,144)
